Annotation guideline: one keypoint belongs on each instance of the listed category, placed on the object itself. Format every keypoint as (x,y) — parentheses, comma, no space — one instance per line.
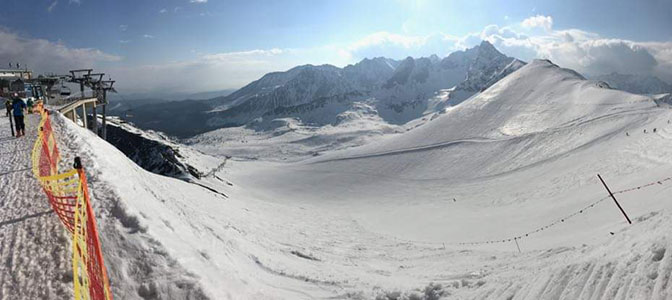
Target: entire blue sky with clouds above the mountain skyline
(225,44)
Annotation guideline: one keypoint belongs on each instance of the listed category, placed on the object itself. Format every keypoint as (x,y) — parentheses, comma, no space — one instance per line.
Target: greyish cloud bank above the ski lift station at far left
(44,56)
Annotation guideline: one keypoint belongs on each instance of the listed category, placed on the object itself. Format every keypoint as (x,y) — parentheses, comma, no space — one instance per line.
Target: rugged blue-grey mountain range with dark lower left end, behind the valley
(398,91)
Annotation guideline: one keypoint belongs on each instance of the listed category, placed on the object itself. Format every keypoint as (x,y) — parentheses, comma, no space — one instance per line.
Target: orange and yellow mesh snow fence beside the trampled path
(68,195)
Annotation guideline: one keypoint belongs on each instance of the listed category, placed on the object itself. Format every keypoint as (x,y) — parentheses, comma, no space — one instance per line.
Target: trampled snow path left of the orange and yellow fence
(34,246)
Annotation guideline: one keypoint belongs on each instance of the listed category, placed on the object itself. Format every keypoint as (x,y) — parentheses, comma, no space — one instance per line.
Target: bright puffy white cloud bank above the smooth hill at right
(583,51)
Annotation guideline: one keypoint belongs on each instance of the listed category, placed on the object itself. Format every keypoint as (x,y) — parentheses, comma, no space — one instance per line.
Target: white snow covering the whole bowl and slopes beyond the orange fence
(381,220)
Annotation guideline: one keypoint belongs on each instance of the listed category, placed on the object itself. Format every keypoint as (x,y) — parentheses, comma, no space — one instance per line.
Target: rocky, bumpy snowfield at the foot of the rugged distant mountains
(289,139)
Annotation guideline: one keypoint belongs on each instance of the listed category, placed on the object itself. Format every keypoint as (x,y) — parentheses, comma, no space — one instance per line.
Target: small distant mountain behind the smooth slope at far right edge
(636,84)
